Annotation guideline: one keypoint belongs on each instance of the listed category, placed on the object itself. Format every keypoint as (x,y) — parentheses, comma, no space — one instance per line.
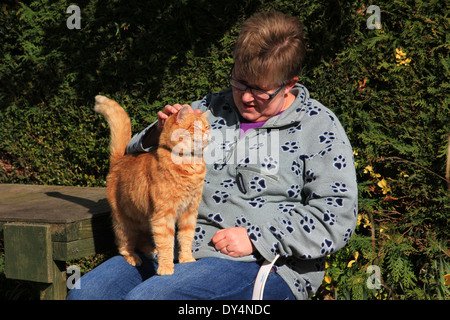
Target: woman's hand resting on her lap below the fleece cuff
(234,242)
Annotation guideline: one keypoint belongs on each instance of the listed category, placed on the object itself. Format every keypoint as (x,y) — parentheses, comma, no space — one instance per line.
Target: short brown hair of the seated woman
(270,46)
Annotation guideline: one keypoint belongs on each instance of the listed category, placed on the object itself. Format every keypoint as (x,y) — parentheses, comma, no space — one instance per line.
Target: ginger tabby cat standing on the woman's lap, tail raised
(151,192)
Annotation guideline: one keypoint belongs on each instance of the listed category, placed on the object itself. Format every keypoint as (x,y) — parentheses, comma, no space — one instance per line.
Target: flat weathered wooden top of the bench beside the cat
(50,204)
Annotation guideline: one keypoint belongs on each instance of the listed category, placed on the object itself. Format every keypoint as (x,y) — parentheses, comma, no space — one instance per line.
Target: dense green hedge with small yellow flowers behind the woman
(388,86)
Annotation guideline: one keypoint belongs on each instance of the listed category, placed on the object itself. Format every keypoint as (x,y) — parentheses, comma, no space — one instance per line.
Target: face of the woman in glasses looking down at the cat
(255,109)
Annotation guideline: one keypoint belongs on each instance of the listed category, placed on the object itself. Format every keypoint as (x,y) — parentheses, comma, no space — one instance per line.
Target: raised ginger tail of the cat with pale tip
(119,124)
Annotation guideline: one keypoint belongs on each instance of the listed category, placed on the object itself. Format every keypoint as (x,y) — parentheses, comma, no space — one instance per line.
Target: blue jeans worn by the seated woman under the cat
(204,279)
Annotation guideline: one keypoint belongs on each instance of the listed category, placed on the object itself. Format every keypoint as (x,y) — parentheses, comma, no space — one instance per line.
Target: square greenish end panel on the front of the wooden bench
(28,252)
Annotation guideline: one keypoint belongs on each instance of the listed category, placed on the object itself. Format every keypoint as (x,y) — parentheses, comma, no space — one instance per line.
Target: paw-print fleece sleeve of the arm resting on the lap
(323,219)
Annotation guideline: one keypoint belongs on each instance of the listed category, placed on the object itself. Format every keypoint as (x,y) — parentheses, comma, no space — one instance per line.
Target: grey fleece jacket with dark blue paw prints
(291,183)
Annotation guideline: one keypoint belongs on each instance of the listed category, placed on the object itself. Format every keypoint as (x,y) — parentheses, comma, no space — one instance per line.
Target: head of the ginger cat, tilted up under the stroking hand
(186,133)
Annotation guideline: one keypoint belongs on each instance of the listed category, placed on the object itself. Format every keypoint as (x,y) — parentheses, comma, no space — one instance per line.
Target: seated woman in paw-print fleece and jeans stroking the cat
(280,182)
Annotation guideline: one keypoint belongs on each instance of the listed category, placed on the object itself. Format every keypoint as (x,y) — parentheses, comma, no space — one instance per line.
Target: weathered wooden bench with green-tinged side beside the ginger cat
(43,227)
